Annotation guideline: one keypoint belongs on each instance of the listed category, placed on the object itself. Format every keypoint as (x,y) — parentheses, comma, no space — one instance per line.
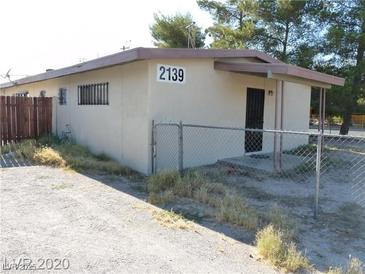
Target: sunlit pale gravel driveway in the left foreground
(104,227)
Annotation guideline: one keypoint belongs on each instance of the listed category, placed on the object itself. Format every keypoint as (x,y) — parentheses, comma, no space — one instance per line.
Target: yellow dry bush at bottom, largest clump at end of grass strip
(273,247)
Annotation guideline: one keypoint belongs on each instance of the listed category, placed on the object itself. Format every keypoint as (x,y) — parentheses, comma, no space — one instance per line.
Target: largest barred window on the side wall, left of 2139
(93,94)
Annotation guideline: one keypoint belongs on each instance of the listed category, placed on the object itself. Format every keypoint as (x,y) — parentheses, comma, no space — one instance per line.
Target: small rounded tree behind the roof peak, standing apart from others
(176,32)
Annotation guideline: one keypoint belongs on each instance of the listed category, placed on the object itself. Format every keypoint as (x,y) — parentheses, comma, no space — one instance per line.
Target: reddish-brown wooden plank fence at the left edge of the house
(24,117)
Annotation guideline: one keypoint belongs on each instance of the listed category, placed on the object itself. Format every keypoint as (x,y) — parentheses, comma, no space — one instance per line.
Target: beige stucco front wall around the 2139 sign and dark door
(217,98)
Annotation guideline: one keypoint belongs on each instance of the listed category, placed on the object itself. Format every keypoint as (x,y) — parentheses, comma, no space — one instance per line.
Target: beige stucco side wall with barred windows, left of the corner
(118,129)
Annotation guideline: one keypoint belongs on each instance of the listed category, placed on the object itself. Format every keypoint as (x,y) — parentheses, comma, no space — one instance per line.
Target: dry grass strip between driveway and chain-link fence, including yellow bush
(274,242)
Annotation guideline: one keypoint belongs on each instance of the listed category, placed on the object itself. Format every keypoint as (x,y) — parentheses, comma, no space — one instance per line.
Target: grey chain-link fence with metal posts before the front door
(278,155)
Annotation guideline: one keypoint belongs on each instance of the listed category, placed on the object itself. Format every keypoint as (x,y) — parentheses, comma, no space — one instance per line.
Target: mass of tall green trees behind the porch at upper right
(326,35)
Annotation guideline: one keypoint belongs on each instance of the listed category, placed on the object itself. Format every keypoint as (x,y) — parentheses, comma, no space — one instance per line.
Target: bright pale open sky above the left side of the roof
(41,34)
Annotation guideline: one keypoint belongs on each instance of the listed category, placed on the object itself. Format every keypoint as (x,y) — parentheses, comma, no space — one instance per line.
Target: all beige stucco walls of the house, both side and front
(122,129)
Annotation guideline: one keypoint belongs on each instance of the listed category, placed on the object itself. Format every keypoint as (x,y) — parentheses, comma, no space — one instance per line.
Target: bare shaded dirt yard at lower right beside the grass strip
(339,231)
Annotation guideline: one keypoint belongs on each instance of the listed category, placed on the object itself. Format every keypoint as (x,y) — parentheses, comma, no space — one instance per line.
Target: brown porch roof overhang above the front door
(282,71)
